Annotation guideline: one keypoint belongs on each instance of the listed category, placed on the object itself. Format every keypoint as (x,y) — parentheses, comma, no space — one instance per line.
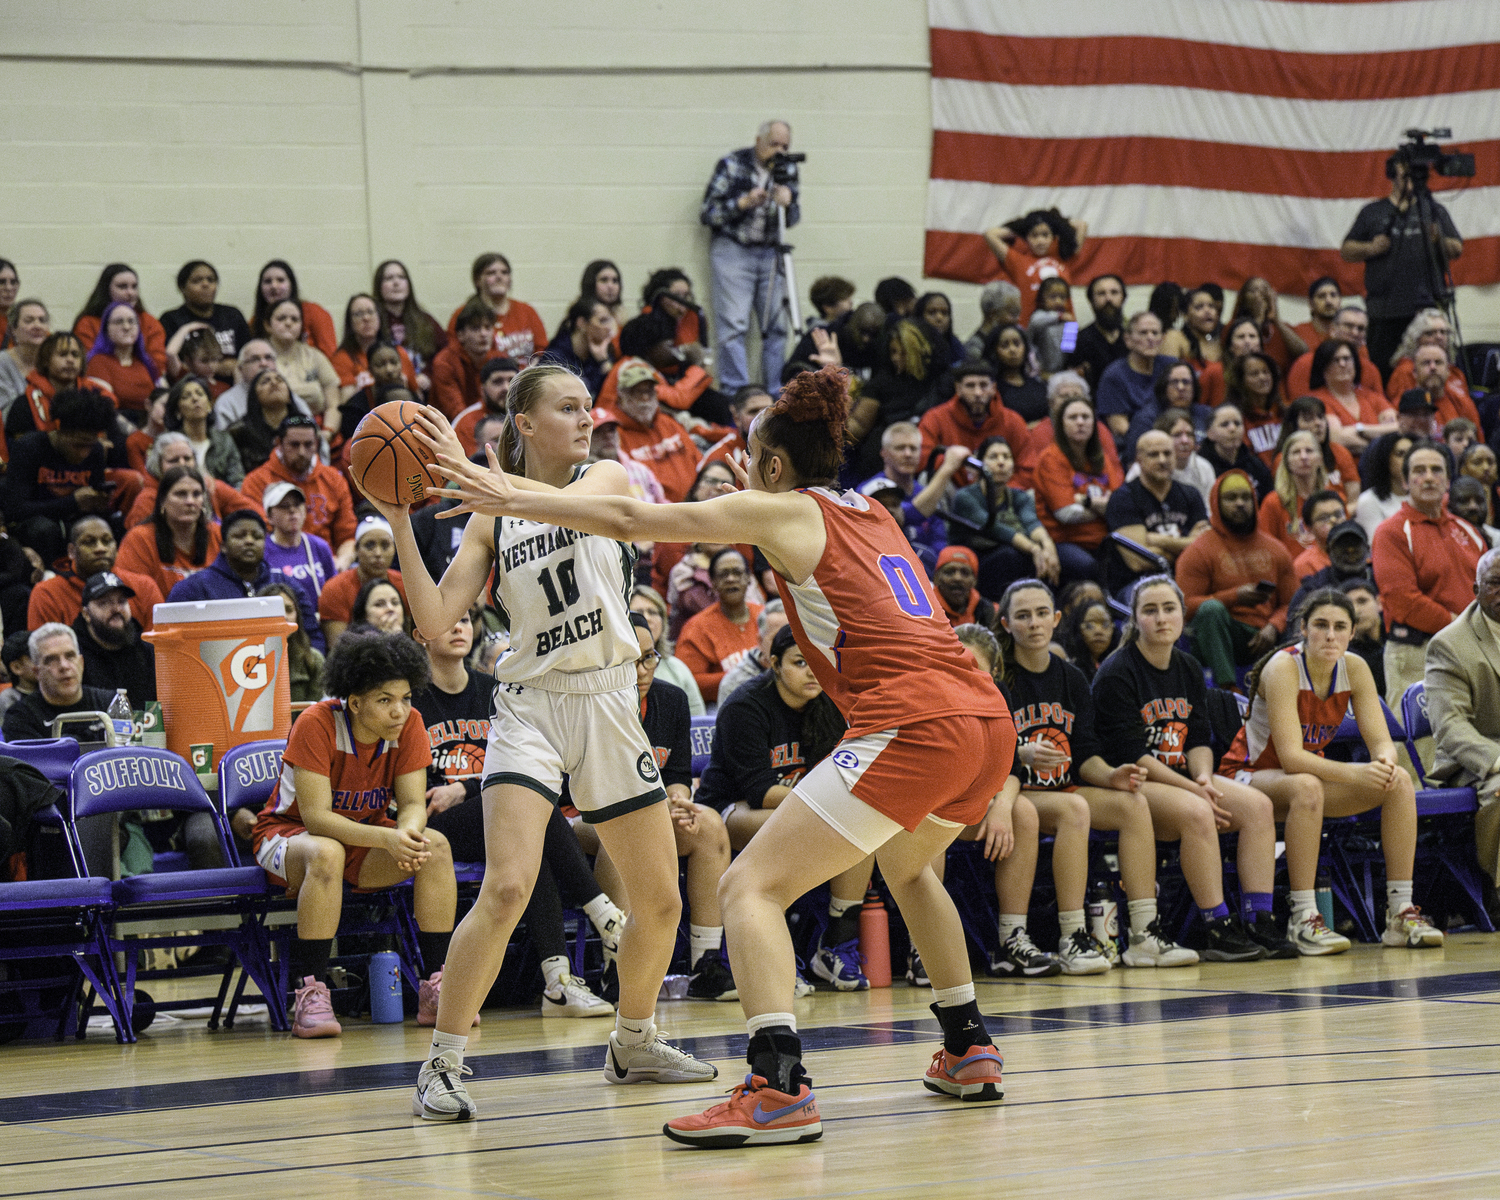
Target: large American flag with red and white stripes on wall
(1205,140)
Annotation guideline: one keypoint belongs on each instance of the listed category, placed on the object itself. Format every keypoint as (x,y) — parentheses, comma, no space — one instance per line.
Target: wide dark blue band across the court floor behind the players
(110,1102)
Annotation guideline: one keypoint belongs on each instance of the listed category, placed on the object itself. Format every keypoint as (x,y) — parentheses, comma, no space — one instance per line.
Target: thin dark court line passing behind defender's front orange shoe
(937,1108)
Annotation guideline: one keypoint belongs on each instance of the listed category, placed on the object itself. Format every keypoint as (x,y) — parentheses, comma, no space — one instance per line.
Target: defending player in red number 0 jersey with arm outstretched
(917,707)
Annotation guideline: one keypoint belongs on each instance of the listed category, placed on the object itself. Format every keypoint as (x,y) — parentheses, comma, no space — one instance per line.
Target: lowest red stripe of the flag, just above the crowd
(1150,260)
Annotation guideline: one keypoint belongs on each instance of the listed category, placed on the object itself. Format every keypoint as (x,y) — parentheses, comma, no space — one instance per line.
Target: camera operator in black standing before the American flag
(1400,274)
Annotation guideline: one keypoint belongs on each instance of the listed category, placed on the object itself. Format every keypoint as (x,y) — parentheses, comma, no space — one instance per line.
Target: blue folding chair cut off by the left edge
(56,919)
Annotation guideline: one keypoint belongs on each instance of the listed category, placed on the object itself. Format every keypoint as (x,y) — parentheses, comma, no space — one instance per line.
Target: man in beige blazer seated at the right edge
(1463,703)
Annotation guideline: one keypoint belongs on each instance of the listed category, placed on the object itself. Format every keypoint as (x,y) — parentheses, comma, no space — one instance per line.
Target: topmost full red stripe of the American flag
(1174,62)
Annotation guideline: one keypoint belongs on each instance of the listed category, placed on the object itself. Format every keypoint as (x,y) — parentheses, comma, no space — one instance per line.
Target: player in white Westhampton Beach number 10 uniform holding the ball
(566,703)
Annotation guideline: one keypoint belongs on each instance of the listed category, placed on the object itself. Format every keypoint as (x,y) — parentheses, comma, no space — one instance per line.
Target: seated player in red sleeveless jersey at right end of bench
(1298,698)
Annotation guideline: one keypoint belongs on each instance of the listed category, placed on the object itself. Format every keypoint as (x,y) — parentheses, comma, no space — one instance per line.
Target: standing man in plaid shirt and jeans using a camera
(740,206)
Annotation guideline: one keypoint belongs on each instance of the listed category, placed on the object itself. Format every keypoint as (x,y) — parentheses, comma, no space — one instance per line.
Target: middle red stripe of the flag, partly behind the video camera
(1175,163)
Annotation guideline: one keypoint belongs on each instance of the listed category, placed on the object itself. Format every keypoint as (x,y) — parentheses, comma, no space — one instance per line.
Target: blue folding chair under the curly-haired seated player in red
(248,776)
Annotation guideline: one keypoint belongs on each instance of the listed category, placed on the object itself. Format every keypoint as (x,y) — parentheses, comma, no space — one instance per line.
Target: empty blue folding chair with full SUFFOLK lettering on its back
(223,907)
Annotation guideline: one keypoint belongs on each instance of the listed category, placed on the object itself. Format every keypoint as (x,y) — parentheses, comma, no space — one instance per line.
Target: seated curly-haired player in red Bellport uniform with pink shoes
(326,826)
